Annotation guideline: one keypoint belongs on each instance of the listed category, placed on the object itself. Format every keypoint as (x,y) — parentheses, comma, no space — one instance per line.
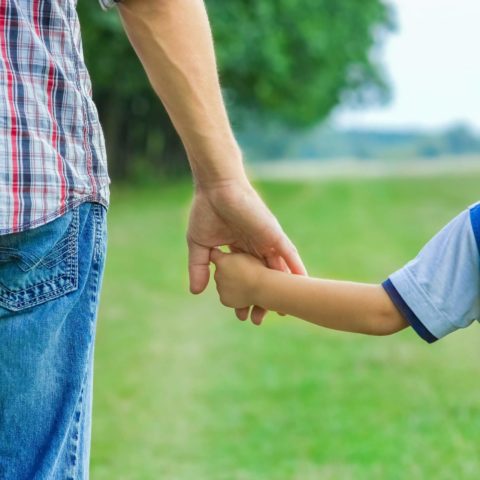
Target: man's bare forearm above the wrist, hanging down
(173,40)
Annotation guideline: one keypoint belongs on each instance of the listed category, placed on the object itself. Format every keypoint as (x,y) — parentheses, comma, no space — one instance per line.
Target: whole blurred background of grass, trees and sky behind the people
(360,126)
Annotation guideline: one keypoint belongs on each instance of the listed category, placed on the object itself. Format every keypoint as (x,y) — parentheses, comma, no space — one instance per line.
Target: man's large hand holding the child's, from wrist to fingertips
(232,213)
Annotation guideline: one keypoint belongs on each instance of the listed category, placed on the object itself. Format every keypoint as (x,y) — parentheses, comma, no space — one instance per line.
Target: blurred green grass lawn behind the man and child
(184,391)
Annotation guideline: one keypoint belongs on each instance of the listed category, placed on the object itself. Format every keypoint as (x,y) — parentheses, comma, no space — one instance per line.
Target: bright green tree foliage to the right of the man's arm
(294,60)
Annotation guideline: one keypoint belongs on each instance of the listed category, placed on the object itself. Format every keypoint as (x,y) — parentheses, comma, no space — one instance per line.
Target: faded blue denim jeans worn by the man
(50,281)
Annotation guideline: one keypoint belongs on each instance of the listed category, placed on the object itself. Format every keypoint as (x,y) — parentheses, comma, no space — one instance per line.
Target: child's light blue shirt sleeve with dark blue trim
(438,292)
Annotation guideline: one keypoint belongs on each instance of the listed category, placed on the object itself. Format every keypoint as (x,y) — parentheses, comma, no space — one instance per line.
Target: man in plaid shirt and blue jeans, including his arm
(54,195)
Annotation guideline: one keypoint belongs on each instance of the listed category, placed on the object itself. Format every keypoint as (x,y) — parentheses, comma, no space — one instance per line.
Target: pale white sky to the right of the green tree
(433,64)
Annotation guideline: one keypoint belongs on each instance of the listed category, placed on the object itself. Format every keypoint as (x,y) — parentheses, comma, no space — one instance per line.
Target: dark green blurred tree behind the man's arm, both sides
(288,61)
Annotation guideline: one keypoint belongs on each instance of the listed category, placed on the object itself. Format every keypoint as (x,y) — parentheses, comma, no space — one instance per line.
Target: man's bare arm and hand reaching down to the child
(173,40)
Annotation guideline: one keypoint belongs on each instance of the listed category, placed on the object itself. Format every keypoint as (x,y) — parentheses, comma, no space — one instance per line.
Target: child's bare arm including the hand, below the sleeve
(354,307)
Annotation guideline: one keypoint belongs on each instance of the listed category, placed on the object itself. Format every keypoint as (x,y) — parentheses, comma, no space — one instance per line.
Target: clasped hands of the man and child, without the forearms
(231,213)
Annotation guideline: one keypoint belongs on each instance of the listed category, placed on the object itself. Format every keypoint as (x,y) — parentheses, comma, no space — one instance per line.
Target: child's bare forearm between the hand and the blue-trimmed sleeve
(348,306)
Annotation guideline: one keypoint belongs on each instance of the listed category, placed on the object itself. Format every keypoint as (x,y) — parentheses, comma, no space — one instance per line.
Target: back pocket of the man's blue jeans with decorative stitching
(39,264)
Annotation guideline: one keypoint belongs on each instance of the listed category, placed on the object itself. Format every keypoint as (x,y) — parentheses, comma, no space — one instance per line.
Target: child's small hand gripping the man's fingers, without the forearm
(236,277)
